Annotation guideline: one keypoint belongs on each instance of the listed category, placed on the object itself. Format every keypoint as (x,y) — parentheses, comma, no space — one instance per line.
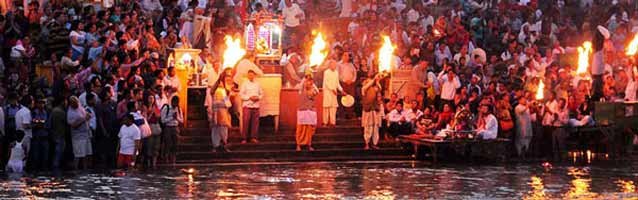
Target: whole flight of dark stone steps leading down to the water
(341,143)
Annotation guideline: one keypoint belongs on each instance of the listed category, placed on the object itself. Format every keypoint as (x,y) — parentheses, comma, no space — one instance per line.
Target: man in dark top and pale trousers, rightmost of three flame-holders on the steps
(372,113)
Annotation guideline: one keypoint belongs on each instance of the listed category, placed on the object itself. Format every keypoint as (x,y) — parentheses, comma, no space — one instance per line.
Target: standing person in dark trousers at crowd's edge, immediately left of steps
(172,117)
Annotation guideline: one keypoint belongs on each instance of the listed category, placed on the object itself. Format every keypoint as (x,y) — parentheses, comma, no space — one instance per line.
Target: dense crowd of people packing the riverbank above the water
(110,95)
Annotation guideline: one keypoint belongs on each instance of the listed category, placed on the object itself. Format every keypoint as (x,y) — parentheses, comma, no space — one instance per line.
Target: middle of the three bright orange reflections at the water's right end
(580,188)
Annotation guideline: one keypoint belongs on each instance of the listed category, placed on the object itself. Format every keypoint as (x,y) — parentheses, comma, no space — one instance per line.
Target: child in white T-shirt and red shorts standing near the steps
(130,136)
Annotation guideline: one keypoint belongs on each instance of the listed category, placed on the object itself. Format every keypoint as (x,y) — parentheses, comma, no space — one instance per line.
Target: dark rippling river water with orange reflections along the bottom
(341,180)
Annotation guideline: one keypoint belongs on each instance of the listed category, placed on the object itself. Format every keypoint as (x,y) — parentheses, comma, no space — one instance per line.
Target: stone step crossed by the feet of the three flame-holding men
(281,145)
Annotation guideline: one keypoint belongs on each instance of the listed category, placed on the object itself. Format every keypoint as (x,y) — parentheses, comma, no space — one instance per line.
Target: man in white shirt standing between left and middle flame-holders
(251,94)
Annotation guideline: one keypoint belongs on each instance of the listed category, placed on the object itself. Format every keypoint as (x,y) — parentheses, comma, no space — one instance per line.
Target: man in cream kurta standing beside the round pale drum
(331,88)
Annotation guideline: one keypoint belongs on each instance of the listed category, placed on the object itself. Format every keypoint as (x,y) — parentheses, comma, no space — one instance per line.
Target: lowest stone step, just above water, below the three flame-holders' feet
(292,155)
